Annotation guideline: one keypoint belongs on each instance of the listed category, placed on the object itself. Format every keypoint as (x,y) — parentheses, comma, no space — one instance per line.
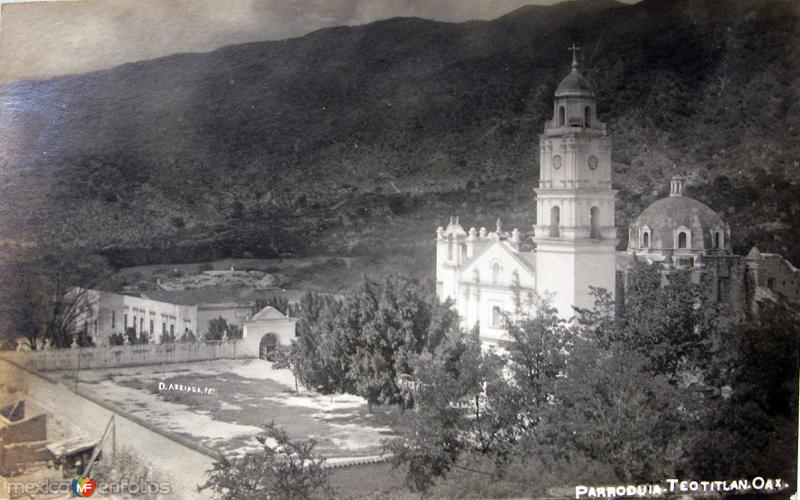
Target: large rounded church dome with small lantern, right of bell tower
(678,223)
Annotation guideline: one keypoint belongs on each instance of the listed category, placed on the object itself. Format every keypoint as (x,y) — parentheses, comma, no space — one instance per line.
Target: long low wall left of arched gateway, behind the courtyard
(88,358)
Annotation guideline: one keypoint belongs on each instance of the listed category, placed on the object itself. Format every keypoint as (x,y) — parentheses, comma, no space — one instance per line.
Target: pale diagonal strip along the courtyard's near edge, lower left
(185,467)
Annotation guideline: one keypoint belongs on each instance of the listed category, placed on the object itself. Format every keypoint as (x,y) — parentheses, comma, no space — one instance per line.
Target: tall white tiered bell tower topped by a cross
(575,232)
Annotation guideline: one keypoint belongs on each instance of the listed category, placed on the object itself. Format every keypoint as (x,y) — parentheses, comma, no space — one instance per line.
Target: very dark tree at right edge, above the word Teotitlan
(751,419)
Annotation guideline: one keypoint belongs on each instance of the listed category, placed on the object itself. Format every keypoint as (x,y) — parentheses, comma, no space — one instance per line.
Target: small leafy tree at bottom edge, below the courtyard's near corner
(284,468)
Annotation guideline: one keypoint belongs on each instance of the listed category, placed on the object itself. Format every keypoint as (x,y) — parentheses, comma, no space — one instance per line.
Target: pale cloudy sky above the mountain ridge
(41,39)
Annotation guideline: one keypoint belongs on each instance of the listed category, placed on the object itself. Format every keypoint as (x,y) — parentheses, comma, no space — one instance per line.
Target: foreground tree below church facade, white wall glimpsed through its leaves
(465,406)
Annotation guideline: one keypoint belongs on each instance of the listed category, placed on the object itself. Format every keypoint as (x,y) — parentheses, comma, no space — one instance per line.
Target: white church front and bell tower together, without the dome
(485,273)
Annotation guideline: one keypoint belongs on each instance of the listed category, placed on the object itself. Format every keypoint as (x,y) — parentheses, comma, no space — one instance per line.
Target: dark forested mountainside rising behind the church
(365,139)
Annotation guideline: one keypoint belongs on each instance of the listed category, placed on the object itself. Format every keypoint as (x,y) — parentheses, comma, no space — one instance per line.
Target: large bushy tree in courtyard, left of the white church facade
(360,344)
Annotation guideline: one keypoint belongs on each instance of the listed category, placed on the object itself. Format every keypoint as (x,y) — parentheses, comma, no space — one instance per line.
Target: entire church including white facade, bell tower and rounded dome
(486,274)
